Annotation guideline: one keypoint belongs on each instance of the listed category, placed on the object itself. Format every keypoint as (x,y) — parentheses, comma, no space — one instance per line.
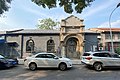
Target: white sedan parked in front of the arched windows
(47,60)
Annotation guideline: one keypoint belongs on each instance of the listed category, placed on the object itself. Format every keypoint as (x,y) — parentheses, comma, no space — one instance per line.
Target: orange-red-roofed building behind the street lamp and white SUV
(105,39)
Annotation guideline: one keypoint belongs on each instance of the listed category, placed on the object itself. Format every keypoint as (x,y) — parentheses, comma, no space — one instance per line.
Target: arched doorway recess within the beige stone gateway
(72,48)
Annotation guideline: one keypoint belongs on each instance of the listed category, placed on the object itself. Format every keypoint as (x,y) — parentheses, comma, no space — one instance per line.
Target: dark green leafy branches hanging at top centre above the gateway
(79,5)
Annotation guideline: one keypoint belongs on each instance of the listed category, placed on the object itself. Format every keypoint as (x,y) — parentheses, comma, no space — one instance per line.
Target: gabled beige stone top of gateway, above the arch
(72,24)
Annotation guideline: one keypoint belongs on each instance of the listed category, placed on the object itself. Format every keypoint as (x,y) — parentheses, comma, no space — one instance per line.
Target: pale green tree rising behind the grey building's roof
(47,24)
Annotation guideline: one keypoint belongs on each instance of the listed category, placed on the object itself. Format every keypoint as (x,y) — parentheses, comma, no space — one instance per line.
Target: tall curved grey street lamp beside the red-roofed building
(110,27)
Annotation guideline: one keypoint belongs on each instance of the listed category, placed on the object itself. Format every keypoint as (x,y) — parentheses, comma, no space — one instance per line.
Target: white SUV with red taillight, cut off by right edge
(101,59)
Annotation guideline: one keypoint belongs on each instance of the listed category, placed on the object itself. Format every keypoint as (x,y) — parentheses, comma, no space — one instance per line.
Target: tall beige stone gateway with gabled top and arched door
(72,37)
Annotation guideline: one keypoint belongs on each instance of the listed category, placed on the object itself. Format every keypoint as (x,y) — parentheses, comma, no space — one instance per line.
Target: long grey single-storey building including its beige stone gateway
(70,41)
